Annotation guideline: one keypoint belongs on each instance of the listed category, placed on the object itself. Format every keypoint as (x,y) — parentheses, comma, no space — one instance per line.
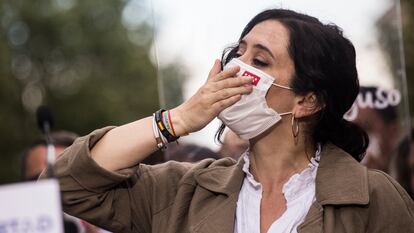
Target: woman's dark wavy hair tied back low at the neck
(324,63)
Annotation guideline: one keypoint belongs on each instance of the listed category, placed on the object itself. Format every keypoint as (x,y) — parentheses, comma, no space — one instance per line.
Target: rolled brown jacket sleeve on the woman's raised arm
(118,201)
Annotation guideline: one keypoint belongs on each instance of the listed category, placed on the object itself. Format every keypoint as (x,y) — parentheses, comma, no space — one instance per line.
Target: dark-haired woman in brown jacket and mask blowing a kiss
(300,174)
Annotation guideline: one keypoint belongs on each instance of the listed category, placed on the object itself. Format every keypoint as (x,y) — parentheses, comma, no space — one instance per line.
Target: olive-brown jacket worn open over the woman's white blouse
(202,197)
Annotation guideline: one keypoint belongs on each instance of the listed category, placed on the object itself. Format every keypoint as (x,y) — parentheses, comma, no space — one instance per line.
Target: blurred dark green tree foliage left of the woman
(78,57)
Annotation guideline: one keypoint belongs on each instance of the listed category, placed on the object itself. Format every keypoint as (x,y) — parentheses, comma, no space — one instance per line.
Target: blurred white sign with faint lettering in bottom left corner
(31,207)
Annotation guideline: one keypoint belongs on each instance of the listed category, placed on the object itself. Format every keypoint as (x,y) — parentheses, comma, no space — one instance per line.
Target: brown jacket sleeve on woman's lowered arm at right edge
(391,208)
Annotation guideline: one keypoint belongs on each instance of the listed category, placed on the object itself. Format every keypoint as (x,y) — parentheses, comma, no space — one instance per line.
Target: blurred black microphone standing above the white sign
(45,124)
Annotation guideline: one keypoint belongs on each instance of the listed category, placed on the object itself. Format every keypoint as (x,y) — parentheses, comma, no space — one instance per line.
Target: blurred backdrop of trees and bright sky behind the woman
(98,63)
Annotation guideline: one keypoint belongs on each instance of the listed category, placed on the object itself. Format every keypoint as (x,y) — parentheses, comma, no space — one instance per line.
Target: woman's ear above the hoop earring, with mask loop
(307,105)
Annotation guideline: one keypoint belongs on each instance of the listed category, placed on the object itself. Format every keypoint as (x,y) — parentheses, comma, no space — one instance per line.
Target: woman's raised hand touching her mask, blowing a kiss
(220,91)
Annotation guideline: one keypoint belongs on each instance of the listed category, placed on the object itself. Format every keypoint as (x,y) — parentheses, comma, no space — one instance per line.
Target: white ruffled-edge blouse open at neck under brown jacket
(299,192)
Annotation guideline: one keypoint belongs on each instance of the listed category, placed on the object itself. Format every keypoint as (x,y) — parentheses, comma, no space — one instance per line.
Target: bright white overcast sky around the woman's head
(195,33)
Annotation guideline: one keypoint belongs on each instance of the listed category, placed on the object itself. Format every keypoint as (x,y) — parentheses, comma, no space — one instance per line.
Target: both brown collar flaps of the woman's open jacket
(340,178)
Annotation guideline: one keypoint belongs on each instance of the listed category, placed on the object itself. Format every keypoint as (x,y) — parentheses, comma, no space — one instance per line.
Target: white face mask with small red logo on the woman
(250,116)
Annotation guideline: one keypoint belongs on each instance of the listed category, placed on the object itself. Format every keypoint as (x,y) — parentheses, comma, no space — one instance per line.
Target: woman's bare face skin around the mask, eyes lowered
(266,48)
